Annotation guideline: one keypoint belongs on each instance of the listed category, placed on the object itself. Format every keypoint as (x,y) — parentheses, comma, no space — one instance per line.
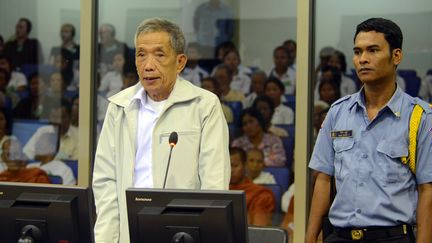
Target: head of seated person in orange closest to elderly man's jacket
(238,165)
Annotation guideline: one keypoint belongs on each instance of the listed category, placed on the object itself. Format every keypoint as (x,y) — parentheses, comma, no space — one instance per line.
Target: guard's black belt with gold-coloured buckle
(373,233)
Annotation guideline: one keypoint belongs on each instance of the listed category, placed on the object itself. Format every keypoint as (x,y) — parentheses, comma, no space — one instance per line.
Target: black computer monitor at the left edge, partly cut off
(46,213)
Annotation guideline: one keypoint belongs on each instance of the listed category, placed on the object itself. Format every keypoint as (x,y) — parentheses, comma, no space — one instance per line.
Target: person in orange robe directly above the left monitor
(15,161)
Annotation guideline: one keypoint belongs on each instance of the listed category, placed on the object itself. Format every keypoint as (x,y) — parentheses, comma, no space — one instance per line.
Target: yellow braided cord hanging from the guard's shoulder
(412,147)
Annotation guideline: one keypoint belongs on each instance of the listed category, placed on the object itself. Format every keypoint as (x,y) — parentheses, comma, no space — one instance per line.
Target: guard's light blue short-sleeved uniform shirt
(373,187)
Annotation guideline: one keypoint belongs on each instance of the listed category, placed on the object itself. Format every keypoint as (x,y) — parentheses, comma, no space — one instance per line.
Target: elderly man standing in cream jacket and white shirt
(133,147)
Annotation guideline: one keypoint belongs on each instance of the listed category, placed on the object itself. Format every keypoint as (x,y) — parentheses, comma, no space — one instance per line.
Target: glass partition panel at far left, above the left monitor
(39,71)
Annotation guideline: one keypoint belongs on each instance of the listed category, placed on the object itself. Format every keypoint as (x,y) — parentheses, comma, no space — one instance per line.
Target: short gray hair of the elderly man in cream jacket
(176,35)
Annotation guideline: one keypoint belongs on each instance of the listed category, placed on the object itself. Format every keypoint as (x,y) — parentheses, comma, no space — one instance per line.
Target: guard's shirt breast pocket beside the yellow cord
(389,160)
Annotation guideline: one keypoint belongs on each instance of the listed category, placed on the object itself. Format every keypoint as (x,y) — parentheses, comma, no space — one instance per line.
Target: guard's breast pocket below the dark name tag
(343,148)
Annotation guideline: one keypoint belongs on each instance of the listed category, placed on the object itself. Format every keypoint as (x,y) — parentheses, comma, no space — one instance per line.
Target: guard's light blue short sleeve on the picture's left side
(323,154)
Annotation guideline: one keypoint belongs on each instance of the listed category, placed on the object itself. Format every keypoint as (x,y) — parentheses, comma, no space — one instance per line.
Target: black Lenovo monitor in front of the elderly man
(190,216)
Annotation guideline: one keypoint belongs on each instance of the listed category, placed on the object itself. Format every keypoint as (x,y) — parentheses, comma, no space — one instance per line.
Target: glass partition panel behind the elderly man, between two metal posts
(224,38)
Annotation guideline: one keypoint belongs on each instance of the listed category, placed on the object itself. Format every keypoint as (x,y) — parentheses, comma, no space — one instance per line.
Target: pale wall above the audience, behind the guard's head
(336,21)
